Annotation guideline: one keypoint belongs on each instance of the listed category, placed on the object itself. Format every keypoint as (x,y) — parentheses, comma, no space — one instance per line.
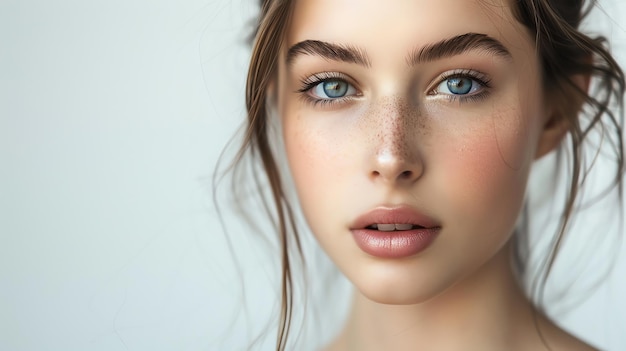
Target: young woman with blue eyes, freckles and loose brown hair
(410,128)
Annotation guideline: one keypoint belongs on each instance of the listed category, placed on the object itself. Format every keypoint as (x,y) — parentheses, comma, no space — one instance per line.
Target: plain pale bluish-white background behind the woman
(112,116)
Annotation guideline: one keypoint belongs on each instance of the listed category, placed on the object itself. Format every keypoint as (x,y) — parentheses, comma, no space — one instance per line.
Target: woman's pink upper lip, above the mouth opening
(394,215)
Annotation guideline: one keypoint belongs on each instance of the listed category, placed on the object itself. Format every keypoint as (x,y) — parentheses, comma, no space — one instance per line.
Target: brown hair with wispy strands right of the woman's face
(566,52)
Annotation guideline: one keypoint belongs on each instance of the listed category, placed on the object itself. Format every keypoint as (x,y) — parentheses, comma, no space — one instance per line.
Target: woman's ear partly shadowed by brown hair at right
(564,107)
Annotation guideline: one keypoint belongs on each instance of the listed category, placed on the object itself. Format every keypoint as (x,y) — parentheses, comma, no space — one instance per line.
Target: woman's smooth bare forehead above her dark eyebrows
(392,26)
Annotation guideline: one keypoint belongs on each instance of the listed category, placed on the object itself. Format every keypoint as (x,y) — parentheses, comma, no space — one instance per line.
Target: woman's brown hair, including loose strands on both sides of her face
(564,52)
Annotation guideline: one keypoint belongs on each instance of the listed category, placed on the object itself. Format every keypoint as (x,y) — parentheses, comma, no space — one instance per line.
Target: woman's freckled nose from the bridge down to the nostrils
(396,154)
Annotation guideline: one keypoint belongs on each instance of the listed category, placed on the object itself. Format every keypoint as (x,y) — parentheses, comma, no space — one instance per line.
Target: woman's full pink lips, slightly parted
(394,244)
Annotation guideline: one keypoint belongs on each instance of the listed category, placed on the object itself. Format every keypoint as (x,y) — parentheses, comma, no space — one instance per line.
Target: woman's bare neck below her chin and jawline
(485,311)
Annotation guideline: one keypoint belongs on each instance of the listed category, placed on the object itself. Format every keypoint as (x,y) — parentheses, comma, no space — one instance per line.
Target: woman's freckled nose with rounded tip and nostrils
(396,157)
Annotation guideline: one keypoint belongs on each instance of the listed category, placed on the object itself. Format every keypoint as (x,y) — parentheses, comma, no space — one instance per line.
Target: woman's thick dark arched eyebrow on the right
(456,46)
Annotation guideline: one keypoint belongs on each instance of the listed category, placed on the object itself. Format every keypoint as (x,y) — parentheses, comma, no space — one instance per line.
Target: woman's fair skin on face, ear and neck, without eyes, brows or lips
(400,138)
